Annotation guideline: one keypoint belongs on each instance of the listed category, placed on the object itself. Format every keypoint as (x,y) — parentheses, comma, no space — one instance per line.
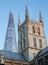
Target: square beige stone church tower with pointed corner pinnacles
(31,37)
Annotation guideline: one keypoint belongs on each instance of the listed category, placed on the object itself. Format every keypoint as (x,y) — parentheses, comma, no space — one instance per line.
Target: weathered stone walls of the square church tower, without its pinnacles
(26,30)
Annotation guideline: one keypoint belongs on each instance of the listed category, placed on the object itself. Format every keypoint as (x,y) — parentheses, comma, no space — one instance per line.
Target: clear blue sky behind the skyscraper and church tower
(18,7)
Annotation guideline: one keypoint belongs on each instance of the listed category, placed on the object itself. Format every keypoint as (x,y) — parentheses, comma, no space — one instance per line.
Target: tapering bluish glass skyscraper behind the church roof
(10,41)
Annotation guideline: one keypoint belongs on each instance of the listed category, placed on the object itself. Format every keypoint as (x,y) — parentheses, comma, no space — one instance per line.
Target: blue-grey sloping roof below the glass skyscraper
(13,55)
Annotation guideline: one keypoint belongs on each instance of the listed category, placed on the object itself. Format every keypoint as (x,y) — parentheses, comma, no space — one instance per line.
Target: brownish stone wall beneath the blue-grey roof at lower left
(14,62)
